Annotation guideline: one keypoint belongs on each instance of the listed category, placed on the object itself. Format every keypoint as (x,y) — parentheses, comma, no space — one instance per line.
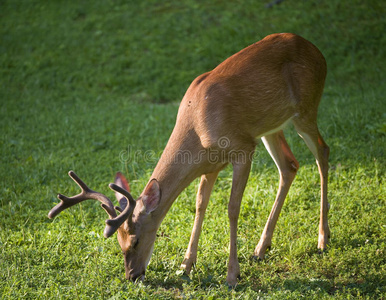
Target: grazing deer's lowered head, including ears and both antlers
(134,225)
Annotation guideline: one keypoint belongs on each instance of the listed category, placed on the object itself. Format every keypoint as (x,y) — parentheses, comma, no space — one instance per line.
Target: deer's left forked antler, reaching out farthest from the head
(85,194)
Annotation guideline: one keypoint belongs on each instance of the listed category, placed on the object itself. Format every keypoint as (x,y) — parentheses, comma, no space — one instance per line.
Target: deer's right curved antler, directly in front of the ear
(112,225)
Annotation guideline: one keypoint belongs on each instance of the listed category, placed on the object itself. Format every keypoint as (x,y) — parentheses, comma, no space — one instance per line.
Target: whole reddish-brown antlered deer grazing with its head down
(252,94)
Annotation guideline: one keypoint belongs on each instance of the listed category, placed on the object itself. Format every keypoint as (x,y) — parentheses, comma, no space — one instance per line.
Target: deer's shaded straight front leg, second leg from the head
(239,181)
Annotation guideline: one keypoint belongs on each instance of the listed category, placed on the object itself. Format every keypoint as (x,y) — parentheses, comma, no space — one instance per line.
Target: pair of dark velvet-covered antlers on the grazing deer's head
(114,222)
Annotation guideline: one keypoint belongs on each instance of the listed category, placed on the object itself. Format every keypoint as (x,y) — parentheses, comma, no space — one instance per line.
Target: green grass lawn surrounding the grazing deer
(84,82)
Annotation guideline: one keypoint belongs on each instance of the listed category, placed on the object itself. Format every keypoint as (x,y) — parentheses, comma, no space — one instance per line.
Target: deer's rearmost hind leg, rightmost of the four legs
(311,135)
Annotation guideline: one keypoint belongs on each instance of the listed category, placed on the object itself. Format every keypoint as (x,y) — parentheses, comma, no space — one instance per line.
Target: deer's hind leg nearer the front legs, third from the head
(287,164)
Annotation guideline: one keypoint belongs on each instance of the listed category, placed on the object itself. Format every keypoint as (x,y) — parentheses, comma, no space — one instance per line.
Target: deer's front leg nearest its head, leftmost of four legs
(203,194)
